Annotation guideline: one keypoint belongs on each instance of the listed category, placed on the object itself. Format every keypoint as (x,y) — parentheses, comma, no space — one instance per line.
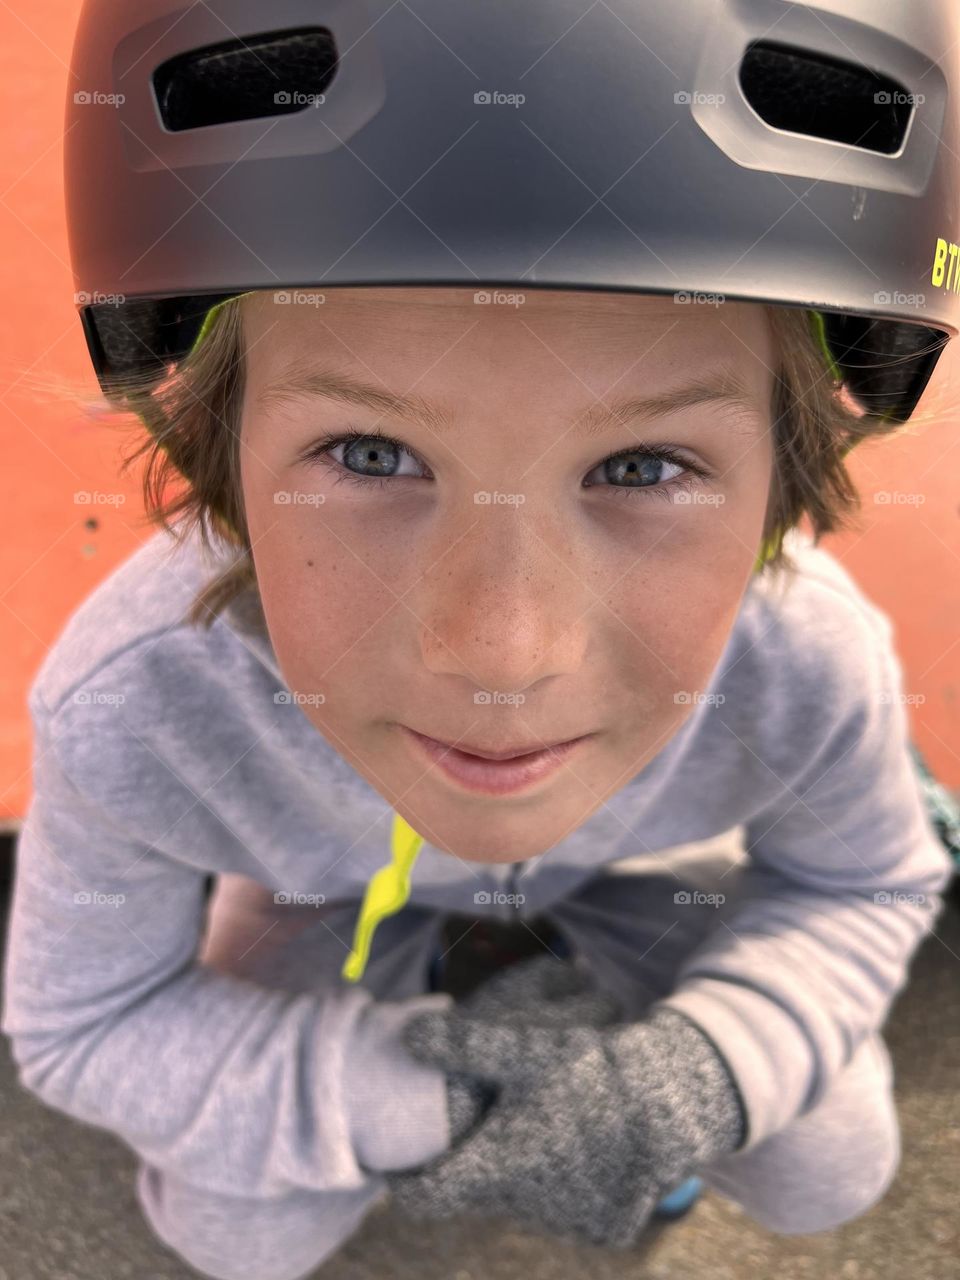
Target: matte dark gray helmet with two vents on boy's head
(751,150)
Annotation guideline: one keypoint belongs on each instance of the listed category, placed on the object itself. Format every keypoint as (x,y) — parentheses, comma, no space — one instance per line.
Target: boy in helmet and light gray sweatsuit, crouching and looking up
(497,444)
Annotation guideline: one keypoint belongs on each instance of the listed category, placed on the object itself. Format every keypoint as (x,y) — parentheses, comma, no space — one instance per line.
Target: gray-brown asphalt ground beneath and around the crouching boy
(68,1209)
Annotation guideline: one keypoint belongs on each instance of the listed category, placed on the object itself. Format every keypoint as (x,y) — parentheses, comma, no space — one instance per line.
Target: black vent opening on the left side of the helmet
(273,74)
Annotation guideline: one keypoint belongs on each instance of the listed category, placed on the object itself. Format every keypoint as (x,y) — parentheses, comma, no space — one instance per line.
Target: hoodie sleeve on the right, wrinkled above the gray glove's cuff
(843,881)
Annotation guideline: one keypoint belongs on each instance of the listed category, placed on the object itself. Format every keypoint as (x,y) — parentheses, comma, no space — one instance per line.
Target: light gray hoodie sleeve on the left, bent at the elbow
(237,1089)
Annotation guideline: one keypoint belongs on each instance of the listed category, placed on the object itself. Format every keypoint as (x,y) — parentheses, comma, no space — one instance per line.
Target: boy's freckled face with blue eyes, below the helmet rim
(499,583)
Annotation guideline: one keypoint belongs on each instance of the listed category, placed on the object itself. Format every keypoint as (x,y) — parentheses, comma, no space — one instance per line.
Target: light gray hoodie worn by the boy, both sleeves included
(164,753)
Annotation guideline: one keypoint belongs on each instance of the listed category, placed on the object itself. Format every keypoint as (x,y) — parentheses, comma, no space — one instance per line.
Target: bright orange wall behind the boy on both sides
(908,557)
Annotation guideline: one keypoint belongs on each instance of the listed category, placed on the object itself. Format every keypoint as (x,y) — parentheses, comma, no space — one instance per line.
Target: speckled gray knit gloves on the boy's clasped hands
(589,1127)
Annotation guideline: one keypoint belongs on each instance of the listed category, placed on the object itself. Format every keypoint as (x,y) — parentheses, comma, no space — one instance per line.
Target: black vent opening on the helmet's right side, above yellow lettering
(825,98)
